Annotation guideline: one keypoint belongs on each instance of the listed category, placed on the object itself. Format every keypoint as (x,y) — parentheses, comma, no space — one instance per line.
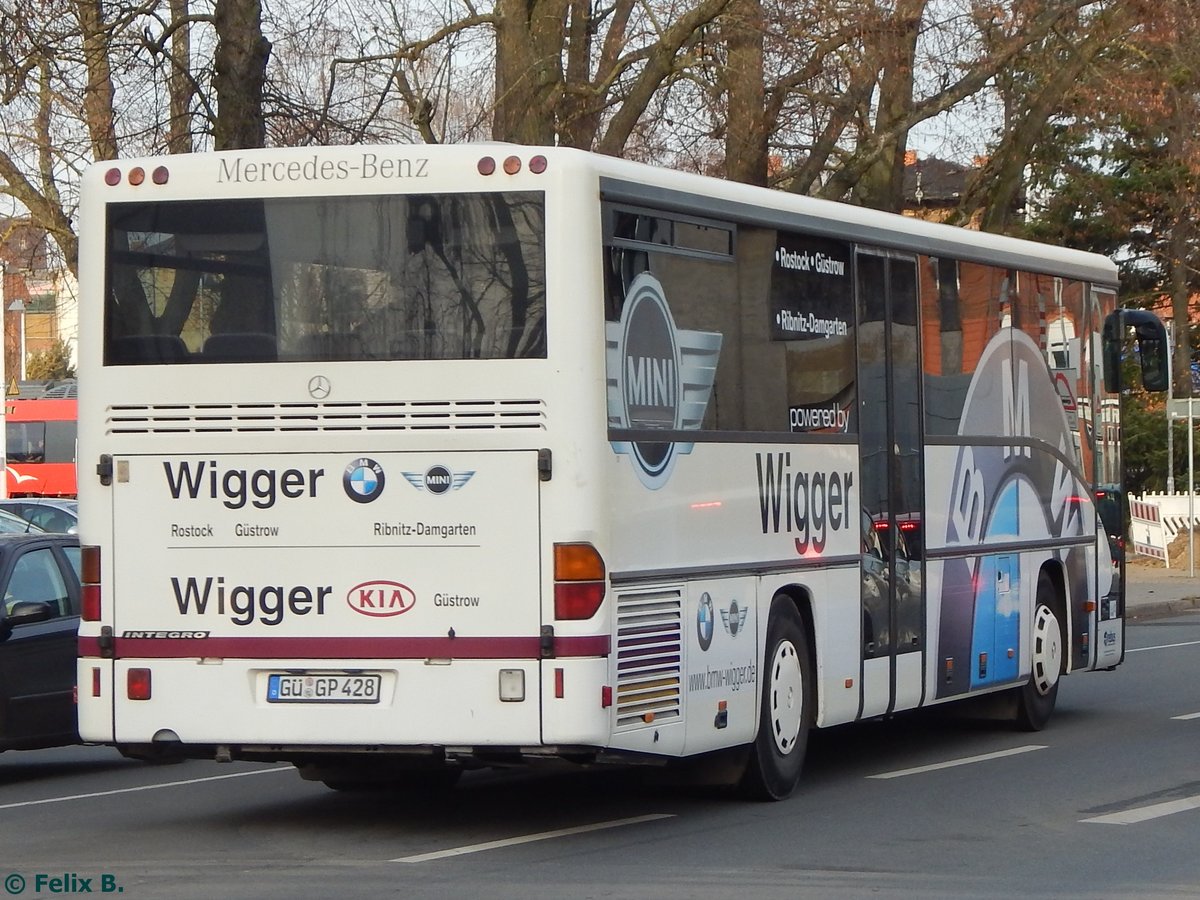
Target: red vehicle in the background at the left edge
(40,447)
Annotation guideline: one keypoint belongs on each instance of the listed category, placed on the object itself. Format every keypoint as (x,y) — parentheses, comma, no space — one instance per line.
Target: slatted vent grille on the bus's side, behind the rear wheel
(650,658)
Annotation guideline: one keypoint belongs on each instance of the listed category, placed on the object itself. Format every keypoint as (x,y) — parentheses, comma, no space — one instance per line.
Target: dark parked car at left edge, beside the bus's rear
(39,626)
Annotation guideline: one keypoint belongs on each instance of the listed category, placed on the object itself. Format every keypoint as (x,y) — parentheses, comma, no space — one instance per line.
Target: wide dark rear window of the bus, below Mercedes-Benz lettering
(394,278)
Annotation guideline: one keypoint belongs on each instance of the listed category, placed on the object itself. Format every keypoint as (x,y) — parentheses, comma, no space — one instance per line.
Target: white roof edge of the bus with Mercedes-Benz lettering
(412,169)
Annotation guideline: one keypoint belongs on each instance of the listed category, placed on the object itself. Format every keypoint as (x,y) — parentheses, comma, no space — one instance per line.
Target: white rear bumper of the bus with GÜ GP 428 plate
(403,706)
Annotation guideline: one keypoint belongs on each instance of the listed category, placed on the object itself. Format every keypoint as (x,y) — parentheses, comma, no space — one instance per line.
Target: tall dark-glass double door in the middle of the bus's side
(892,476)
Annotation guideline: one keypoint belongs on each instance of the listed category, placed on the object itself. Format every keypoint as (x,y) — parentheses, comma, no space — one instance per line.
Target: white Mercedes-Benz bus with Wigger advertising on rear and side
(404,460)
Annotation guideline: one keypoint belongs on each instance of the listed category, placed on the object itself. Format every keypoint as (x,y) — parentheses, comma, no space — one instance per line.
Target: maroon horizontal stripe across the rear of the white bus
(335,649)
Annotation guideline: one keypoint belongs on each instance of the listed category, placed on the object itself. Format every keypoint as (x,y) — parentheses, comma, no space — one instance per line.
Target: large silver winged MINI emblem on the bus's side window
(659,380)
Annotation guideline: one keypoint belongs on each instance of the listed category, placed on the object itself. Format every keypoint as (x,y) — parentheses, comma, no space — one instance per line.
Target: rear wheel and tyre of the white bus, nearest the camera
(787,710)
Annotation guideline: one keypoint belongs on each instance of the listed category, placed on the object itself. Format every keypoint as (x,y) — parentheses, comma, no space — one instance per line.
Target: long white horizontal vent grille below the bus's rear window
(427,416)
